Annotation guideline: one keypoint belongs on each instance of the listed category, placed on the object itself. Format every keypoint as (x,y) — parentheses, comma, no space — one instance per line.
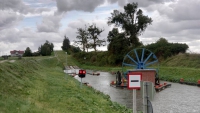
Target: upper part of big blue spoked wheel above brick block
(139,58)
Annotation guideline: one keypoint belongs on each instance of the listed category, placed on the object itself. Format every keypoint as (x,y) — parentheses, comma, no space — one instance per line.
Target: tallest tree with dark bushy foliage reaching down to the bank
(133,22)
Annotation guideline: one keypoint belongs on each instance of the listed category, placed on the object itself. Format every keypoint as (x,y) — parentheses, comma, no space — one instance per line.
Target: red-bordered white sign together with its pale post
(134,79)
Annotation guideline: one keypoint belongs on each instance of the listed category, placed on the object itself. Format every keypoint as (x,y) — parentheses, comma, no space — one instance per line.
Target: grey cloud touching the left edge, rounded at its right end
(9,19)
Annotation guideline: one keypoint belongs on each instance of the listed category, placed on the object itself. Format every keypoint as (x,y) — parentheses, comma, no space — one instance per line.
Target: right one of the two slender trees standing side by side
(94,32)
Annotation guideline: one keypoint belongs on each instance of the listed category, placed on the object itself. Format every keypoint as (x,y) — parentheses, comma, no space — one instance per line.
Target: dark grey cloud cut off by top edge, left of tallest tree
(79,5)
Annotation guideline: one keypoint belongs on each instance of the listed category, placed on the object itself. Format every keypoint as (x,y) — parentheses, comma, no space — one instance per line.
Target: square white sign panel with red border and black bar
(134,79)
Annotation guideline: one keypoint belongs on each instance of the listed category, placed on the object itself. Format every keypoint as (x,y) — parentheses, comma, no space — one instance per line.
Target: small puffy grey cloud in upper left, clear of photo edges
(49,24)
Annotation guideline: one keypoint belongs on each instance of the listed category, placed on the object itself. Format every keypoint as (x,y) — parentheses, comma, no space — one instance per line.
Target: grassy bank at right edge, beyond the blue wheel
(186,66)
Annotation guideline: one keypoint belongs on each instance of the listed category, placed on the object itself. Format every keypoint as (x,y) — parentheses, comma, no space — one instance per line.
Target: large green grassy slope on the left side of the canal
(38,85)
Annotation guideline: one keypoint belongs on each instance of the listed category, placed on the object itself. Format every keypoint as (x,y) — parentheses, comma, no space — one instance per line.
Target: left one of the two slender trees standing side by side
(82,38)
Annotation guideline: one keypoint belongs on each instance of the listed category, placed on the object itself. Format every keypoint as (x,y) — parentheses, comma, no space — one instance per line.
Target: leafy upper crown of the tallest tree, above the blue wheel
(132,21)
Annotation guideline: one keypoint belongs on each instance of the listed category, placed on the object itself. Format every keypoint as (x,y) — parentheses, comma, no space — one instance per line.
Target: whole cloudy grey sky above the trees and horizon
(29,23)
